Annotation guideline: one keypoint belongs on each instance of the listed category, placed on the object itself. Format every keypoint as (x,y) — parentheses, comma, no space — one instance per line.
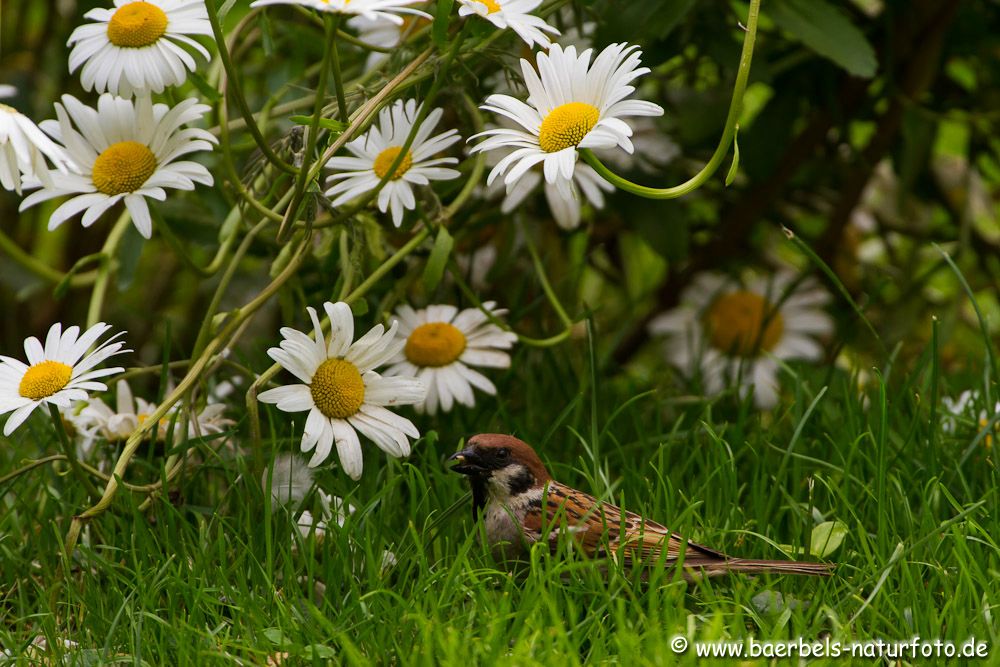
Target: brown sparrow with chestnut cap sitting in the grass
(521,504)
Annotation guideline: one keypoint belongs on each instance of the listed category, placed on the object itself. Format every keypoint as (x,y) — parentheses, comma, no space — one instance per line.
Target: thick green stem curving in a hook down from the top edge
(728,132)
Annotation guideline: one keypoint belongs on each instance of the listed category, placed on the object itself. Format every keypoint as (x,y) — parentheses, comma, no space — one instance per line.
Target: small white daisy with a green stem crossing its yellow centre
(377,150)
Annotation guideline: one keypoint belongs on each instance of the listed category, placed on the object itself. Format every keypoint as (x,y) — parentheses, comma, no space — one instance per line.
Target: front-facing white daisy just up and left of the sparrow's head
(341,390)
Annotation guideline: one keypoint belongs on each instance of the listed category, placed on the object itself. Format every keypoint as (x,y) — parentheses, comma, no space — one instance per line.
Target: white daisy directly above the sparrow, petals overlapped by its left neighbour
(441,345)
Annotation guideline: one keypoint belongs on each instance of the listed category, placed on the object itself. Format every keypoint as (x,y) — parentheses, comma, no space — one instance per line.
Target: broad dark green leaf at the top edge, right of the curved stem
(826,30)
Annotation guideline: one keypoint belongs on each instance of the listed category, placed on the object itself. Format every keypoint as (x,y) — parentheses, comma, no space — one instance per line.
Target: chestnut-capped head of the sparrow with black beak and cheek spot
(502,463)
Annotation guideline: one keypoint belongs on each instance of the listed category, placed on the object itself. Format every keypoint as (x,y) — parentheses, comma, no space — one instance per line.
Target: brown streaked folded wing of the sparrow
(604,530)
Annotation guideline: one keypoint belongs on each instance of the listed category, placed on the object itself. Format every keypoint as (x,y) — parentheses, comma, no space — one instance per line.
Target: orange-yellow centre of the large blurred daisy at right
(743,323)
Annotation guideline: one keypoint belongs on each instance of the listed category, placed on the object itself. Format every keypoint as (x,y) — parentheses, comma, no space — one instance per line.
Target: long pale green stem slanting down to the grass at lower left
(193,375)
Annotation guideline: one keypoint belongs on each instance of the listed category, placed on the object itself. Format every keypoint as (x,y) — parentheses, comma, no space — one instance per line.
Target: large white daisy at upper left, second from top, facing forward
(124,151)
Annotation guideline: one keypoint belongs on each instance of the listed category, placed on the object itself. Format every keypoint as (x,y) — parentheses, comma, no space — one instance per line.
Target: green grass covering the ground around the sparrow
(209,576)
